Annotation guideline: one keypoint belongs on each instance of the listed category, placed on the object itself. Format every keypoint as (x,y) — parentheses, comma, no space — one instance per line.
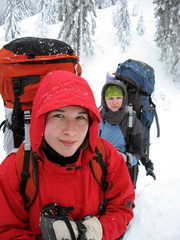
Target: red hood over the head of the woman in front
(59,89)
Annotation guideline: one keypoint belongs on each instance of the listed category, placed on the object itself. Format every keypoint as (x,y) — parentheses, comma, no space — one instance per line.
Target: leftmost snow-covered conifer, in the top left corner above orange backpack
(12,18)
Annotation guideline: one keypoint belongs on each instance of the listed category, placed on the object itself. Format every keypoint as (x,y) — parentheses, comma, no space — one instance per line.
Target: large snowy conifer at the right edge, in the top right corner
(167,13)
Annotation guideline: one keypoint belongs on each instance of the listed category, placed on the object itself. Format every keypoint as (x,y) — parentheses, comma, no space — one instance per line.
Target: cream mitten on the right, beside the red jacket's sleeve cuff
(93,229)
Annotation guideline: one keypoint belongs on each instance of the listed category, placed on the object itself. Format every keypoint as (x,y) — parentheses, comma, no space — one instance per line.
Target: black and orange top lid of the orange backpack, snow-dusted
(32,48)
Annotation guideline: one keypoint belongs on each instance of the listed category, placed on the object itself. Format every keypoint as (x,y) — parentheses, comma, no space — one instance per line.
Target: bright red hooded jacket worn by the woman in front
(69,185)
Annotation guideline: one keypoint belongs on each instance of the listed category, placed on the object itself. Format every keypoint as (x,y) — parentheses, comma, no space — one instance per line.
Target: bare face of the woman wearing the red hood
(66,129)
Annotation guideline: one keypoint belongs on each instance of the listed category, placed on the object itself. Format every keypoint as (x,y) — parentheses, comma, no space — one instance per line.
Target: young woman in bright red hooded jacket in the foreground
(64,133)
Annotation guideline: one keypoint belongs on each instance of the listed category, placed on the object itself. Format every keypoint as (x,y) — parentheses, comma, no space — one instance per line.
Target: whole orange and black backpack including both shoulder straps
(23,63)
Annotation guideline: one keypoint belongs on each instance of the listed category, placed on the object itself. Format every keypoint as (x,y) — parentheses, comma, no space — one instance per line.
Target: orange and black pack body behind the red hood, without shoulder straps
(23,63)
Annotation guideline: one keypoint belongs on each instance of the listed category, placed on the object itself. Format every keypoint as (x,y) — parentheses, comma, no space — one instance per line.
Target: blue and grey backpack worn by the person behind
(139,79)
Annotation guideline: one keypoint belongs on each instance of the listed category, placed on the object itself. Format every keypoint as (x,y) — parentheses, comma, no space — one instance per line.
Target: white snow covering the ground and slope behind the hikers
(157,212)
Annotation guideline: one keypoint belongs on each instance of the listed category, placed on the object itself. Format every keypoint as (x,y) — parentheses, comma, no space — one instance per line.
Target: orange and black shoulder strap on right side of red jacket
(98,167)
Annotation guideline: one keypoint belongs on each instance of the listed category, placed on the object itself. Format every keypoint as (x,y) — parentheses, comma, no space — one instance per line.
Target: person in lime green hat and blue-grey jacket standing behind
(114,125)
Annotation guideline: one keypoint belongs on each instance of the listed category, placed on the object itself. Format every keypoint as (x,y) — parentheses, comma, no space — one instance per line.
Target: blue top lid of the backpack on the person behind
(138,72)
